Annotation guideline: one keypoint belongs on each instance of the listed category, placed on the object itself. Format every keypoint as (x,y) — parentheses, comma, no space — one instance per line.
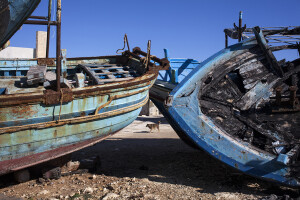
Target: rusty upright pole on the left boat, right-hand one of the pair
(58,45)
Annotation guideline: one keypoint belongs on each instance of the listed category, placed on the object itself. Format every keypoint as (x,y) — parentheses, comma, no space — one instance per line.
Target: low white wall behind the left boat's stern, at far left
(17,52)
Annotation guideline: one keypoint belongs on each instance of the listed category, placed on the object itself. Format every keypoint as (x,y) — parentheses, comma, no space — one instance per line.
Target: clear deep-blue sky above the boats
(189,29)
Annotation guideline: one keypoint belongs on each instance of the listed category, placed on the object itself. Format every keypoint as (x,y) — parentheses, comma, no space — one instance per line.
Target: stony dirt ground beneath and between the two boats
(136,164)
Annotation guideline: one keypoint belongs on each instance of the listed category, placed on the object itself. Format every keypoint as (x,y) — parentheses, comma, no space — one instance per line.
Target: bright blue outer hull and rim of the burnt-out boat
(182,105)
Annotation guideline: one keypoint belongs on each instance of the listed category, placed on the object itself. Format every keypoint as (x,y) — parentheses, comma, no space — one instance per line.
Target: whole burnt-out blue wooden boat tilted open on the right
(241,106)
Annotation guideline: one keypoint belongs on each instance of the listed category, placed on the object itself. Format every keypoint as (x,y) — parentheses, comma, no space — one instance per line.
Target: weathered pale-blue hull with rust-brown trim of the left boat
(33,131)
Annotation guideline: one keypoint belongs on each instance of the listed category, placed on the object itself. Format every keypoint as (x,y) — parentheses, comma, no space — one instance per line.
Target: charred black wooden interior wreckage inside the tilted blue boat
(255,98)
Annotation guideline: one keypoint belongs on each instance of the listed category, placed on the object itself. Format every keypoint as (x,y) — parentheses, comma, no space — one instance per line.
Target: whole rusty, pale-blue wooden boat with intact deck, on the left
(50,107)
